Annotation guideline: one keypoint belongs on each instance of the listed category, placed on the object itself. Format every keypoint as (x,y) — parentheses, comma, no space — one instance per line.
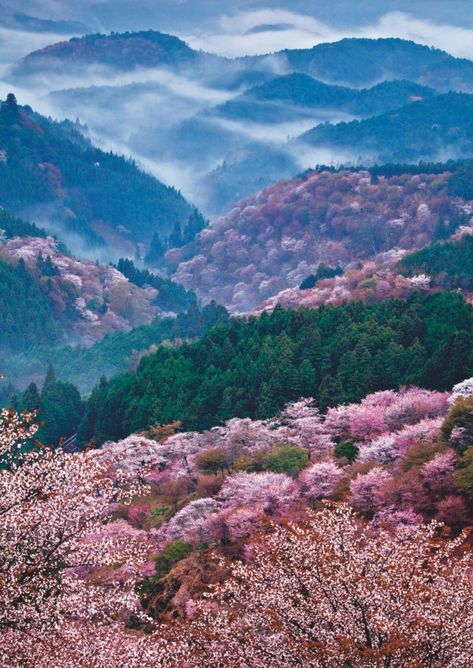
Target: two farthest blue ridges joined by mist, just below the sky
(350,62)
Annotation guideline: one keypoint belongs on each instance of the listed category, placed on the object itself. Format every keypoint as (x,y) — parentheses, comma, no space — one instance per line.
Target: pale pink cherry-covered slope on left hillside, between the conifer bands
(84,299)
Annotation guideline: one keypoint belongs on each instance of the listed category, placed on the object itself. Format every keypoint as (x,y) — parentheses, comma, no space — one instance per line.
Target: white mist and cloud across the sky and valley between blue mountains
(169,120)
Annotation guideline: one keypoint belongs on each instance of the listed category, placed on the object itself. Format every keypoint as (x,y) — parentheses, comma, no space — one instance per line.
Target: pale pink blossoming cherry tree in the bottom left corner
(53,539)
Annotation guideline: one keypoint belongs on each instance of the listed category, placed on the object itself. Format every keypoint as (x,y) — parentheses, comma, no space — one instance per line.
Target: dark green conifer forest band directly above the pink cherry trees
(252,368)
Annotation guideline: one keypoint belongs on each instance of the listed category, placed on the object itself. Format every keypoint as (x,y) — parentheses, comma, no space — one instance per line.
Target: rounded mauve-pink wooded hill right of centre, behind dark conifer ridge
(275,239)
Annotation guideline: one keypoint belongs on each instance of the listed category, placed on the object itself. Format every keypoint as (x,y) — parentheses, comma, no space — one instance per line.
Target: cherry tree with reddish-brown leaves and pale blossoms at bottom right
(333,593)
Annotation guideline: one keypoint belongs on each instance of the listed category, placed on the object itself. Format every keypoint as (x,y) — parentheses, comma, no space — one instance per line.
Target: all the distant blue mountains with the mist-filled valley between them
(221,129)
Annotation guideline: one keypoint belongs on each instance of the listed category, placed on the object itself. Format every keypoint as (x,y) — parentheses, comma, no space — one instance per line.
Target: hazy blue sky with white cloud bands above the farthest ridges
(238,27)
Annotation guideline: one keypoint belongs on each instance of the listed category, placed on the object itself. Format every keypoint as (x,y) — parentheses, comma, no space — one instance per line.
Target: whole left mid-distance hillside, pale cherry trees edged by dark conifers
(63,306)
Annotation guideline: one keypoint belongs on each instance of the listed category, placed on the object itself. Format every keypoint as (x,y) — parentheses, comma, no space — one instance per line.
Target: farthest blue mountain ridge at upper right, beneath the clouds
(365,62)
